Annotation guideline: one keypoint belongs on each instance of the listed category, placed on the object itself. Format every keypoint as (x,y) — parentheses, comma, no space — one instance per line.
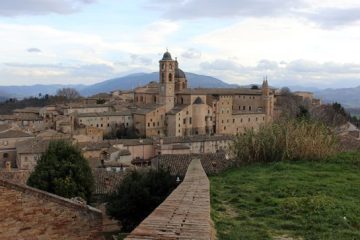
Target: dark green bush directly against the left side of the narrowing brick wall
(138,195)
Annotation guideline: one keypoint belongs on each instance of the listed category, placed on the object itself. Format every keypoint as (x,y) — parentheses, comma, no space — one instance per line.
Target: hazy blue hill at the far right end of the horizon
(348,97)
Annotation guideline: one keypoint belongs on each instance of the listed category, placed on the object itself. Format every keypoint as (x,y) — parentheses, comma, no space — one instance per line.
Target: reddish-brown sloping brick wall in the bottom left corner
(28,213)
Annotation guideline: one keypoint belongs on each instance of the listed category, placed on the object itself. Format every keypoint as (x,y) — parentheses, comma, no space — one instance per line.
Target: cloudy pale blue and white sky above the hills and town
(293,42)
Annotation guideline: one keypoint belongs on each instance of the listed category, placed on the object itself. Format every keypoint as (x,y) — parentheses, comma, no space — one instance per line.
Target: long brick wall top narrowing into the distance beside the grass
(185,214)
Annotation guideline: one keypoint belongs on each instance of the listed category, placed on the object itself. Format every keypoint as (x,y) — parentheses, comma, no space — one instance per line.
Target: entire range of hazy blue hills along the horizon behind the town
(349,97)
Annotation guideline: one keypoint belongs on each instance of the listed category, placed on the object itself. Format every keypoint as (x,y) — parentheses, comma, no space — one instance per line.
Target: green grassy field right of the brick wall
(301,200)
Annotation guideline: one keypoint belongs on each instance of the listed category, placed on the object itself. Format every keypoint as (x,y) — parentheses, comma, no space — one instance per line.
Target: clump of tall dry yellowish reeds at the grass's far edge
(290,140)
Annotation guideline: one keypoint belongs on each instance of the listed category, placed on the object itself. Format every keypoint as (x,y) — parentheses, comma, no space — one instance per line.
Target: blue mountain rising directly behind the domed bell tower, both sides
(139,79)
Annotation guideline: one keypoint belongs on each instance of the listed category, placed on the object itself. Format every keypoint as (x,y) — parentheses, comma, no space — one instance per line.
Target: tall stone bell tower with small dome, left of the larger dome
(167,81)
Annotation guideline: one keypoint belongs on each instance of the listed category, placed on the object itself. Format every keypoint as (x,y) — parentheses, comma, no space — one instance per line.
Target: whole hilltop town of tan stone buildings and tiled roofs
(163,117)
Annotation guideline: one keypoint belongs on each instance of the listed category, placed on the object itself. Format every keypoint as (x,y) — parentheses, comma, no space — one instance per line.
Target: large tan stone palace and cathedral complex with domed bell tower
(170,108)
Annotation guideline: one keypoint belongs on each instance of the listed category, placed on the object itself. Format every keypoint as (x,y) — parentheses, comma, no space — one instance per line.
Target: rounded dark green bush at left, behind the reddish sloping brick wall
(63,170)
